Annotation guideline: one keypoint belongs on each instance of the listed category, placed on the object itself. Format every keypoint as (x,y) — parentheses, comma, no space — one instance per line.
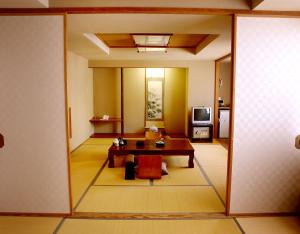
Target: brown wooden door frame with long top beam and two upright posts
(148,10)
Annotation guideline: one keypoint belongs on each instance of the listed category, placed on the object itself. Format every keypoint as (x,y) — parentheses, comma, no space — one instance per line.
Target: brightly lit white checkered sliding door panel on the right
(266,164)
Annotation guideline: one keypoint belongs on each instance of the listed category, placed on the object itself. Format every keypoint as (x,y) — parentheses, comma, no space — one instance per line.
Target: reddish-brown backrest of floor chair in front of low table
(149,166)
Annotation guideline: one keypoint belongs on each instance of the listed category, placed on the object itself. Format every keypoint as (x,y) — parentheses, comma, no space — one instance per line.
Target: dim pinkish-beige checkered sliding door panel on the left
(33,162)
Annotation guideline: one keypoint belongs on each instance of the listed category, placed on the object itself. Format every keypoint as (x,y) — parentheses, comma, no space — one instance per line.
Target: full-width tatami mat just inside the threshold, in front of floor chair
(150,199)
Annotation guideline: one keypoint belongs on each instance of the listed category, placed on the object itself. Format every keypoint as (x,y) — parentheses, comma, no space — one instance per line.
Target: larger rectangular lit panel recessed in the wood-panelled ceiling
(151,40)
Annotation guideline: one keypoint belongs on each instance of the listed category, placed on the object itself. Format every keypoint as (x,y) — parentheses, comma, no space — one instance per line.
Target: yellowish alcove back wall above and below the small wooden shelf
(107,97)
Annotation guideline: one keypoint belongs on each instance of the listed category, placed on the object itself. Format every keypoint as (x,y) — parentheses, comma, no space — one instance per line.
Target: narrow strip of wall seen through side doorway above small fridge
(225,75)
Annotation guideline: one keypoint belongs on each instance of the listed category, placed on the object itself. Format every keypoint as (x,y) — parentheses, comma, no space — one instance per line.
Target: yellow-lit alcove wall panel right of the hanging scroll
(175,110)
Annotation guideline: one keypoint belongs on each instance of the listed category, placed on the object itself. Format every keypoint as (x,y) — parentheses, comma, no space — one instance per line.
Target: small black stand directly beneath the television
(201,133)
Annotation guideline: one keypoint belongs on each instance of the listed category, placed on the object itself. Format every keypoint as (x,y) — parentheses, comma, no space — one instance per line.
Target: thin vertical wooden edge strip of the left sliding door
(68,127)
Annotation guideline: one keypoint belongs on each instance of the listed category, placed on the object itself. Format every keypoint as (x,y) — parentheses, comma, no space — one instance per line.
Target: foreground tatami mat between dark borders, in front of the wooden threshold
(217,226)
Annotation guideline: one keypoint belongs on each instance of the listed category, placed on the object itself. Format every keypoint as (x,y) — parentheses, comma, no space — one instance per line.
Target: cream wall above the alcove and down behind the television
(200,77)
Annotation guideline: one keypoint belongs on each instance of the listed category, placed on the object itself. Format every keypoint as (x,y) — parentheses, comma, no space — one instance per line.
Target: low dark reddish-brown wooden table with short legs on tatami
(171,147)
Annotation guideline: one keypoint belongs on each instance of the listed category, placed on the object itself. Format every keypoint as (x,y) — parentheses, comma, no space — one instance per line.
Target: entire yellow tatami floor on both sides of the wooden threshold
(97,188)
